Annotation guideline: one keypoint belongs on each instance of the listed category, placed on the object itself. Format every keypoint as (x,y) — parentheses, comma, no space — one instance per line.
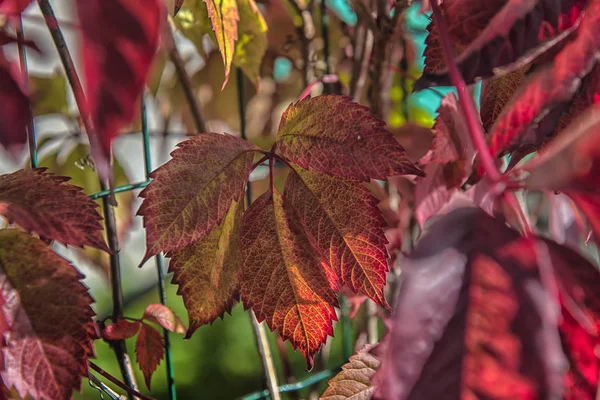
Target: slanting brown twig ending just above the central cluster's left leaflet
(184,78)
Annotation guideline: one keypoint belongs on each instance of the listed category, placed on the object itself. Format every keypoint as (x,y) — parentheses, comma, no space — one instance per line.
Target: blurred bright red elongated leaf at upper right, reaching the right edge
(549,87)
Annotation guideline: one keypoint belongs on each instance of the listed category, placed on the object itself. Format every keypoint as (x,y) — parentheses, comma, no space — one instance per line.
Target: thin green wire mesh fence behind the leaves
(344,320)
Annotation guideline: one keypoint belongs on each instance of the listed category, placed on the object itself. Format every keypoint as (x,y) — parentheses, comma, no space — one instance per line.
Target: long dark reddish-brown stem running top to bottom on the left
(109,215)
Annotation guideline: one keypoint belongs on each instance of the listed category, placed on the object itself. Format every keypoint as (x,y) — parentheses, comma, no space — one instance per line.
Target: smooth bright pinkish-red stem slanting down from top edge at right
(466,102)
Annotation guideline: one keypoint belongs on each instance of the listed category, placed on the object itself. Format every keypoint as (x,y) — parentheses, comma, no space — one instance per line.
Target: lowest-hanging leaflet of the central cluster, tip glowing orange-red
(286,281)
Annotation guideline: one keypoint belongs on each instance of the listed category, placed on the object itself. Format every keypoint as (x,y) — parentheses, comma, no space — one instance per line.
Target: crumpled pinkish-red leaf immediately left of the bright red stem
(448,164)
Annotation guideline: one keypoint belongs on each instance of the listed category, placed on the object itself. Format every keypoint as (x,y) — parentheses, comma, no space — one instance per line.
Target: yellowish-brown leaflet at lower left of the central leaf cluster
(208,272)
